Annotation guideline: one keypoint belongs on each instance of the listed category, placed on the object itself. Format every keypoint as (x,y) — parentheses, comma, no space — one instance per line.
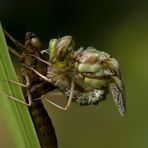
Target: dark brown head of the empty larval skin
(32,43)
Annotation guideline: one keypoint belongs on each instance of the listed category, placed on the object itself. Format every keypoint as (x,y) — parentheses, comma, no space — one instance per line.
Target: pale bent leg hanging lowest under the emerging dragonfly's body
(69,99)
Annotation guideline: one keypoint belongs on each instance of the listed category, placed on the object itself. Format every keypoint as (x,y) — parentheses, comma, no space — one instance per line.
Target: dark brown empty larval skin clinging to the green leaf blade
(34,86)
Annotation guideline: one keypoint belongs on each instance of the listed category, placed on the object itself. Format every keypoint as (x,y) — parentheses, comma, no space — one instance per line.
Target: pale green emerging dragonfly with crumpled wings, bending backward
(84,76)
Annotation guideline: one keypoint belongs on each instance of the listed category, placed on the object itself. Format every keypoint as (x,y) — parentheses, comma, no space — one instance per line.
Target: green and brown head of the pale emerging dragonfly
(60,51)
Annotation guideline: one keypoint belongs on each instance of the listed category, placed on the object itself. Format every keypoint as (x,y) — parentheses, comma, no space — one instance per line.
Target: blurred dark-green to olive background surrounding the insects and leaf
(119,27)
